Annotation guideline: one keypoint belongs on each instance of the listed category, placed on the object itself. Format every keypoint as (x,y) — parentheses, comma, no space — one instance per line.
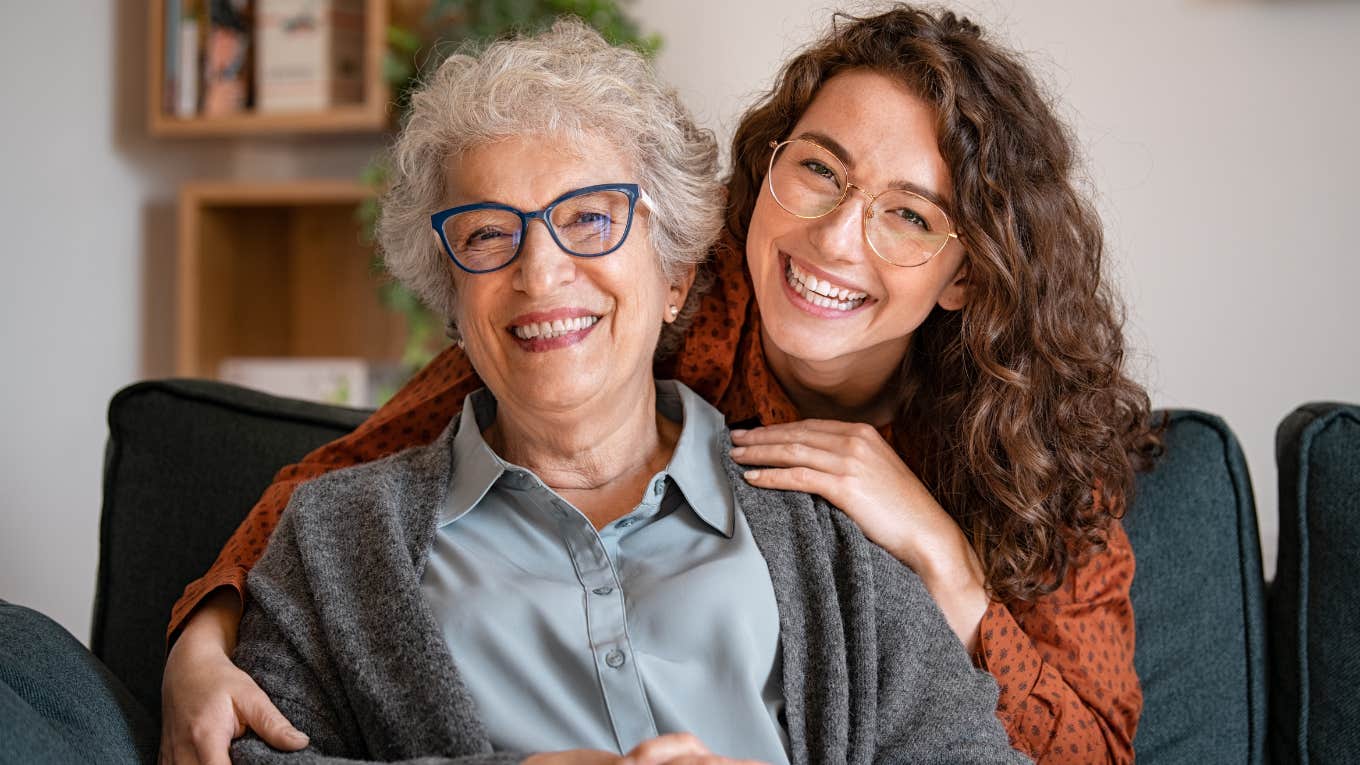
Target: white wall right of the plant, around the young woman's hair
(1222,140)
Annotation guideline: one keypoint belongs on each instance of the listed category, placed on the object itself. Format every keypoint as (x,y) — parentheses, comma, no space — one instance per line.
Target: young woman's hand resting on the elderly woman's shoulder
(856,470)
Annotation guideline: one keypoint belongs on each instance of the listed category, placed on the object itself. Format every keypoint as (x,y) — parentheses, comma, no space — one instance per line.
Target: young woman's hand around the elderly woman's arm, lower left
(206,700)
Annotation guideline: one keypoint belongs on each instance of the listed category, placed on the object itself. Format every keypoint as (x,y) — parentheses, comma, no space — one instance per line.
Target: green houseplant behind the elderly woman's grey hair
(417,46)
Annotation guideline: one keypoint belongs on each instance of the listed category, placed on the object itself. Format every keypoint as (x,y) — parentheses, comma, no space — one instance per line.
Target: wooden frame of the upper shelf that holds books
(368,116)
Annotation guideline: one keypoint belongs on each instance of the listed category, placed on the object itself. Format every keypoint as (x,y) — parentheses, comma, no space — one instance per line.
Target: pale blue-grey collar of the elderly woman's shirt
(696,466)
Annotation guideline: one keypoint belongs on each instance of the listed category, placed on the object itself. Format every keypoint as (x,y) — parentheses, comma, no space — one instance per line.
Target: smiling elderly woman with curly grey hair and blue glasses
(575,570)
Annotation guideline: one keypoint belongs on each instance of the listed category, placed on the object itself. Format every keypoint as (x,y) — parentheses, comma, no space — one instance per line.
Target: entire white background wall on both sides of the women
(1221,134)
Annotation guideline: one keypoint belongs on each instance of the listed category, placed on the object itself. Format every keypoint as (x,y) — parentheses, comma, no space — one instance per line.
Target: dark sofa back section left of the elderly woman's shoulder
(186,462)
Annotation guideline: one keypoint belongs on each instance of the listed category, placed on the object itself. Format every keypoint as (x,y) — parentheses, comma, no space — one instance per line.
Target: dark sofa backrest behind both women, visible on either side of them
(187,459)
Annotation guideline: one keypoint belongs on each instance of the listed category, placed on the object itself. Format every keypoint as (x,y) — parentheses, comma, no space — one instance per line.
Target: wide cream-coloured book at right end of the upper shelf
(309,55)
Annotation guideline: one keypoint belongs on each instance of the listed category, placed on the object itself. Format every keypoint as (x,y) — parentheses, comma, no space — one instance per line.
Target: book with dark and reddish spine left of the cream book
(226,58)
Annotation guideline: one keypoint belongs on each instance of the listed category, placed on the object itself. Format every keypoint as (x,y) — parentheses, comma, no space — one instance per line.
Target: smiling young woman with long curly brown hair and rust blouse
(912,315)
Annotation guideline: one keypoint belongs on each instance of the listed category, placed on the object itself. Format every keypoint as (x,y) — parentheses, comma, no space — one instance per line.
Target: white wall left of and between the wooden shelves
(86,303)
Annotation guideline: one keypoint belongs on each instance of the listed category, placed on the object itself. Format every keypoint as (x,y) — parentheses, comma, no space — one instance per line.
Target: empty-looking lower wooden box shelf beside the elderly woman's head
(277,270)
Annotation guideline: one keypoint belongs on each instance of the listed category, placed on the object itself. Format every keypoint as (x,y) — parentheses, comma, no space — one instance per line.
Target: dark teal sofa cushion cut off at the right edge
(1314,619)
